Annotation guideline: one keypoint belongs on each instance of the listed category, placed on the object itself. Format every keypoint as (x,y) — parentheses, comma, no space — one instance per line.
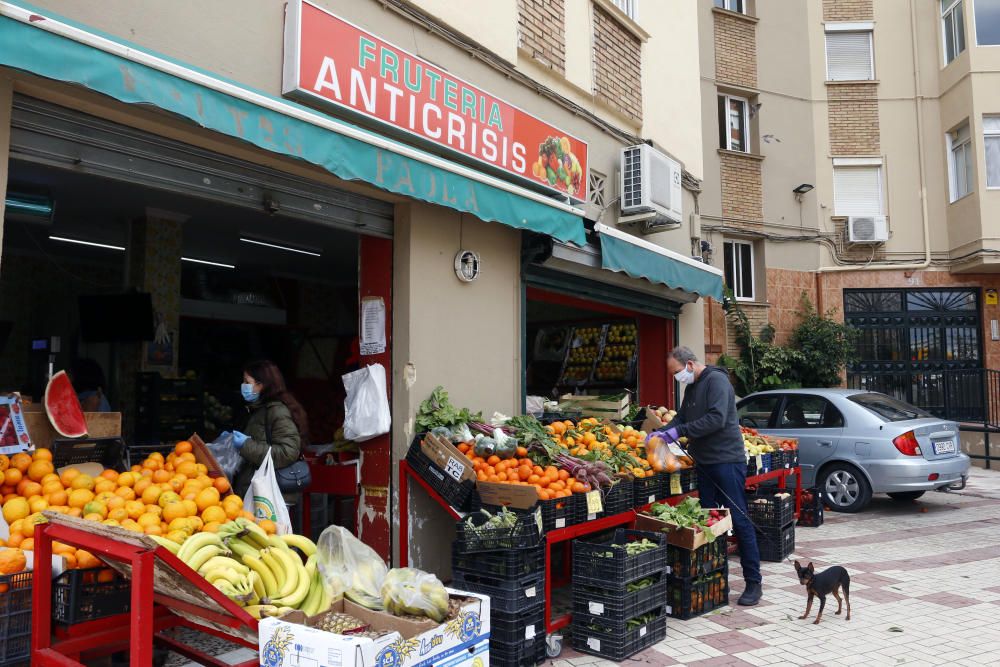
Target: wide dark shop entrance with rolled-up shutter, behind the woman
(111,233)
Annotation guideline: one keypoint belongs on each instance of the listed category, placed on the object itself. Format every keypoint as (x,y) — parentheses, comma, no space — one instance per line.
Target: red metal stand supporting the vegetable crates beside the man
(566,534)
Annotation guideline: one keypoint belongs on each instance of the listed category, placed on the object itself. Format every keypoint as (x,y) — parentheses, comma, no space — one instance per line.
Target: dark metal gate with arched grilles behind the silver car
(909,340)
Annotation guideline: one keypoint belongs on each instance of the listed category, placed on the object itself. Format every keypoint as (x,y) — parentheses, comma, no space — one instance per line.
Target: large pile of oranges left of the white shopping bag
(172,496)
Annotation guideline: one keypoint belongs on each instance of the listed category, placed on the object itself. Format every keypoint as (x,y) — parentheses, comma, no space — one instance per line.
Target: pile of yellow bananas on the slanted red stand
(260,572)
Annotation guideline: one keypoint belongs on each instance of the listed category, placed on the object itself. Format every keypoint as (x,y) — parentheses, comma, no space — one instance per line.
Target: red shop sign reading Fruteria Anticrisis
(338,63)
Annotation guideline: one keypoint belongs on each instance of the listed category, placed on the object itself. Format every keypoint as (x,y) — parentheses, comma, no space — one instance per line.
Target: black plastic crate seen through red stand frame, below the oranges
(78,596)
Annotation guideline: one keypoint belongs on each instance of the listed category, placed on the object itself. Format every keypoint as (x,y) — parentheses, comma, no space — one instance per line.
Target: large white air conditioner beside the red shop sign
(650,187)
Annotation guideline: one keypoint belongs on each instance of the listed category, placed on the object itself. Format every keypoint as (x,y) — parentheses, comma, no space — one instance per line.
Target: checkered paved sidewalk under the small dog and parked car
(925,590)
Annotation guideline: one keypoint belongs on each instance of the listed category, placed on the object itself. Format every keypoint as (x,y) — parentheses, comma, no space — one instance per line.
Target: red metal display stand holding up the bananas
(151,611)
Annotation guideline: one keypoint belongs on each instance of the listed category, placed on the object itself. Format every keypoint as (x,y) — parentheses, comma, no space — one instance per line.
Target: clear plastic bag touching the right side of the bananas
(350,568)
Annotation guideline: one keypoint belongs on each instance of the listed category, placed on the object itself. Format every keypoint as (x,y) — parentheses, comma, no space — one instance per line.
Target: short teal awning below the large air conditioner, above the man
(643,260)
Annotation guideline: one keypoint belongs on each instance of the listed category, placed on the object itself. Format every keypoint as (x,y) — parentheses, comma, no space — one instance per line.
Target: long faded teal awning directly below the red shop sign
(103,64)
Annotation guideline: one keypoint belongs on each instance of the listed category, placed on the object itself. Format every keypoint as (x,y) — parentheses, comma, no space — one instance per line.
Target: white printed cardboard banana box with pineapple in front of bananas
(462,641)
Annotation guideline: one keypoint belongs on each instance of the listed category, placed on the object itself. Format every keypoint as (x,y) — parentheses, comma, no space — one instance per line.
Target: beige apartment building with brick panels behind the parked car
(857,160)
